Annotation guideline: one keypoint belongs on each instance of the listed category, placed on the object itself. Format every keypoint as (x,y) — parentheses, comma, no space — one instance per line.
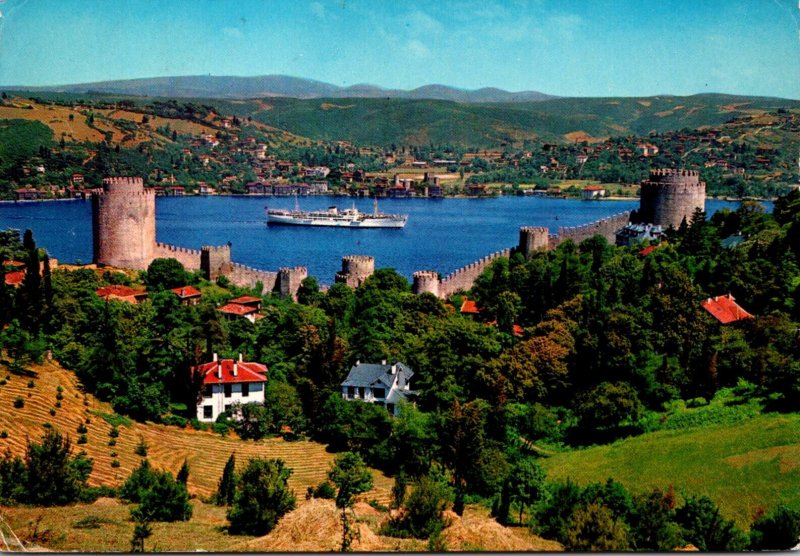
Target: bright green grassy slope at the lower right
(742,467)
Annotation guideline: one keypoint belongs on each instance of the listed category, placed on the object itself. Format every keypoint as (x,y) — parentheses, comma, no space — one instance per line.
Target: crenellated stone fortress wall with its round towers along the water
(123,218)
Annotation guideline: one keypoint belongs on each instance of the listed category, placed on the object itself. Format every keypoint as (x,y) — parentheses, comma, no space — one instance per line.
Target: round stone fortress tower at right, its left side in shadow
(669,196)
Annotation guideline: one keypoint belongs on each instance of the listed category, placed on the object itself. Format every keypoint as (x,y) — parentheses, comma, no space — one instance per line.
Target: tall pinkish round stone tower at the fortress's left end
(124,223)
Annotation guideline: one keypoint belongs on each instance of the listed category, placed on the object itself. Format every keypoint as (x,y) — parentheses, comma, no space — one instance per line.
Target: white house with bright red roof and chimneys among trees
(227,382)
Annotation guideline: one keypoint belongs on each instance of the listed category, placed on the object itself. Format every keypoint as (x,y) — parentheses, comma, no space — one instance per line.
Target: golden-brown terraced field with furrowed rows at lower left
(206,452)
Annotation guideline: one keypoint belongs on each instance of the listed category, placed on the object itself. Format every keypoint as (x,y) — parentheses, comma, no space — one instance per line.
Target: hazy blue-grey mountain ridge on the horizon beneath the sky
(231,87)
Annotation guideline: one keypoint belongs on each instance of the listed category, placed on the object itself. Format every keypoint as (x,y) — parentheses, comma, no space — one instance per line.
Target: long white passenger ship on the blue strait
(334,217)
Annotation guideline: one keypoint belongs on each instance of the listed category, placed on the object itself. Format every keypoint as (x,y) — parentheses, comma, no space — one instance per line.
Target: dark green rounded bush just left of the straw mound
(262,497)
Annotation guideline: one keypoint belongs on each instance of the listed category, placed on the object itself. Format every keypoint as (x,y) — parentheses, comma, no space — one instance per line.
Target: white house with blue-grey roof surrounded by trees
(383,384)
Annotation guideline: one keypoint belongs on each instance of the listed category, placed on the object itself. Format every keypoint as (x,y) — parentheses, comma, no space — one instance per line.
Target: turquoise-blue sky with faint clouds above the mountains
(570,48)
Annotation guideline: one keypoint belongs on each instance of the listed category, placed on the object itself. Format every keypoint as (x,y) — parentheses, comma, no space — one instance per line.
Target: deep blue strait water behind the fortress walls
(441,235)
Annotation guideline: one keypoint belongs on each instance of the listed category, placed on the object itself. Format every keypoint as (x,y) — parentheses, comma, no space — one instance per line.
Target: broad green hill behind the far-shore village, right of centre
(420,122)
